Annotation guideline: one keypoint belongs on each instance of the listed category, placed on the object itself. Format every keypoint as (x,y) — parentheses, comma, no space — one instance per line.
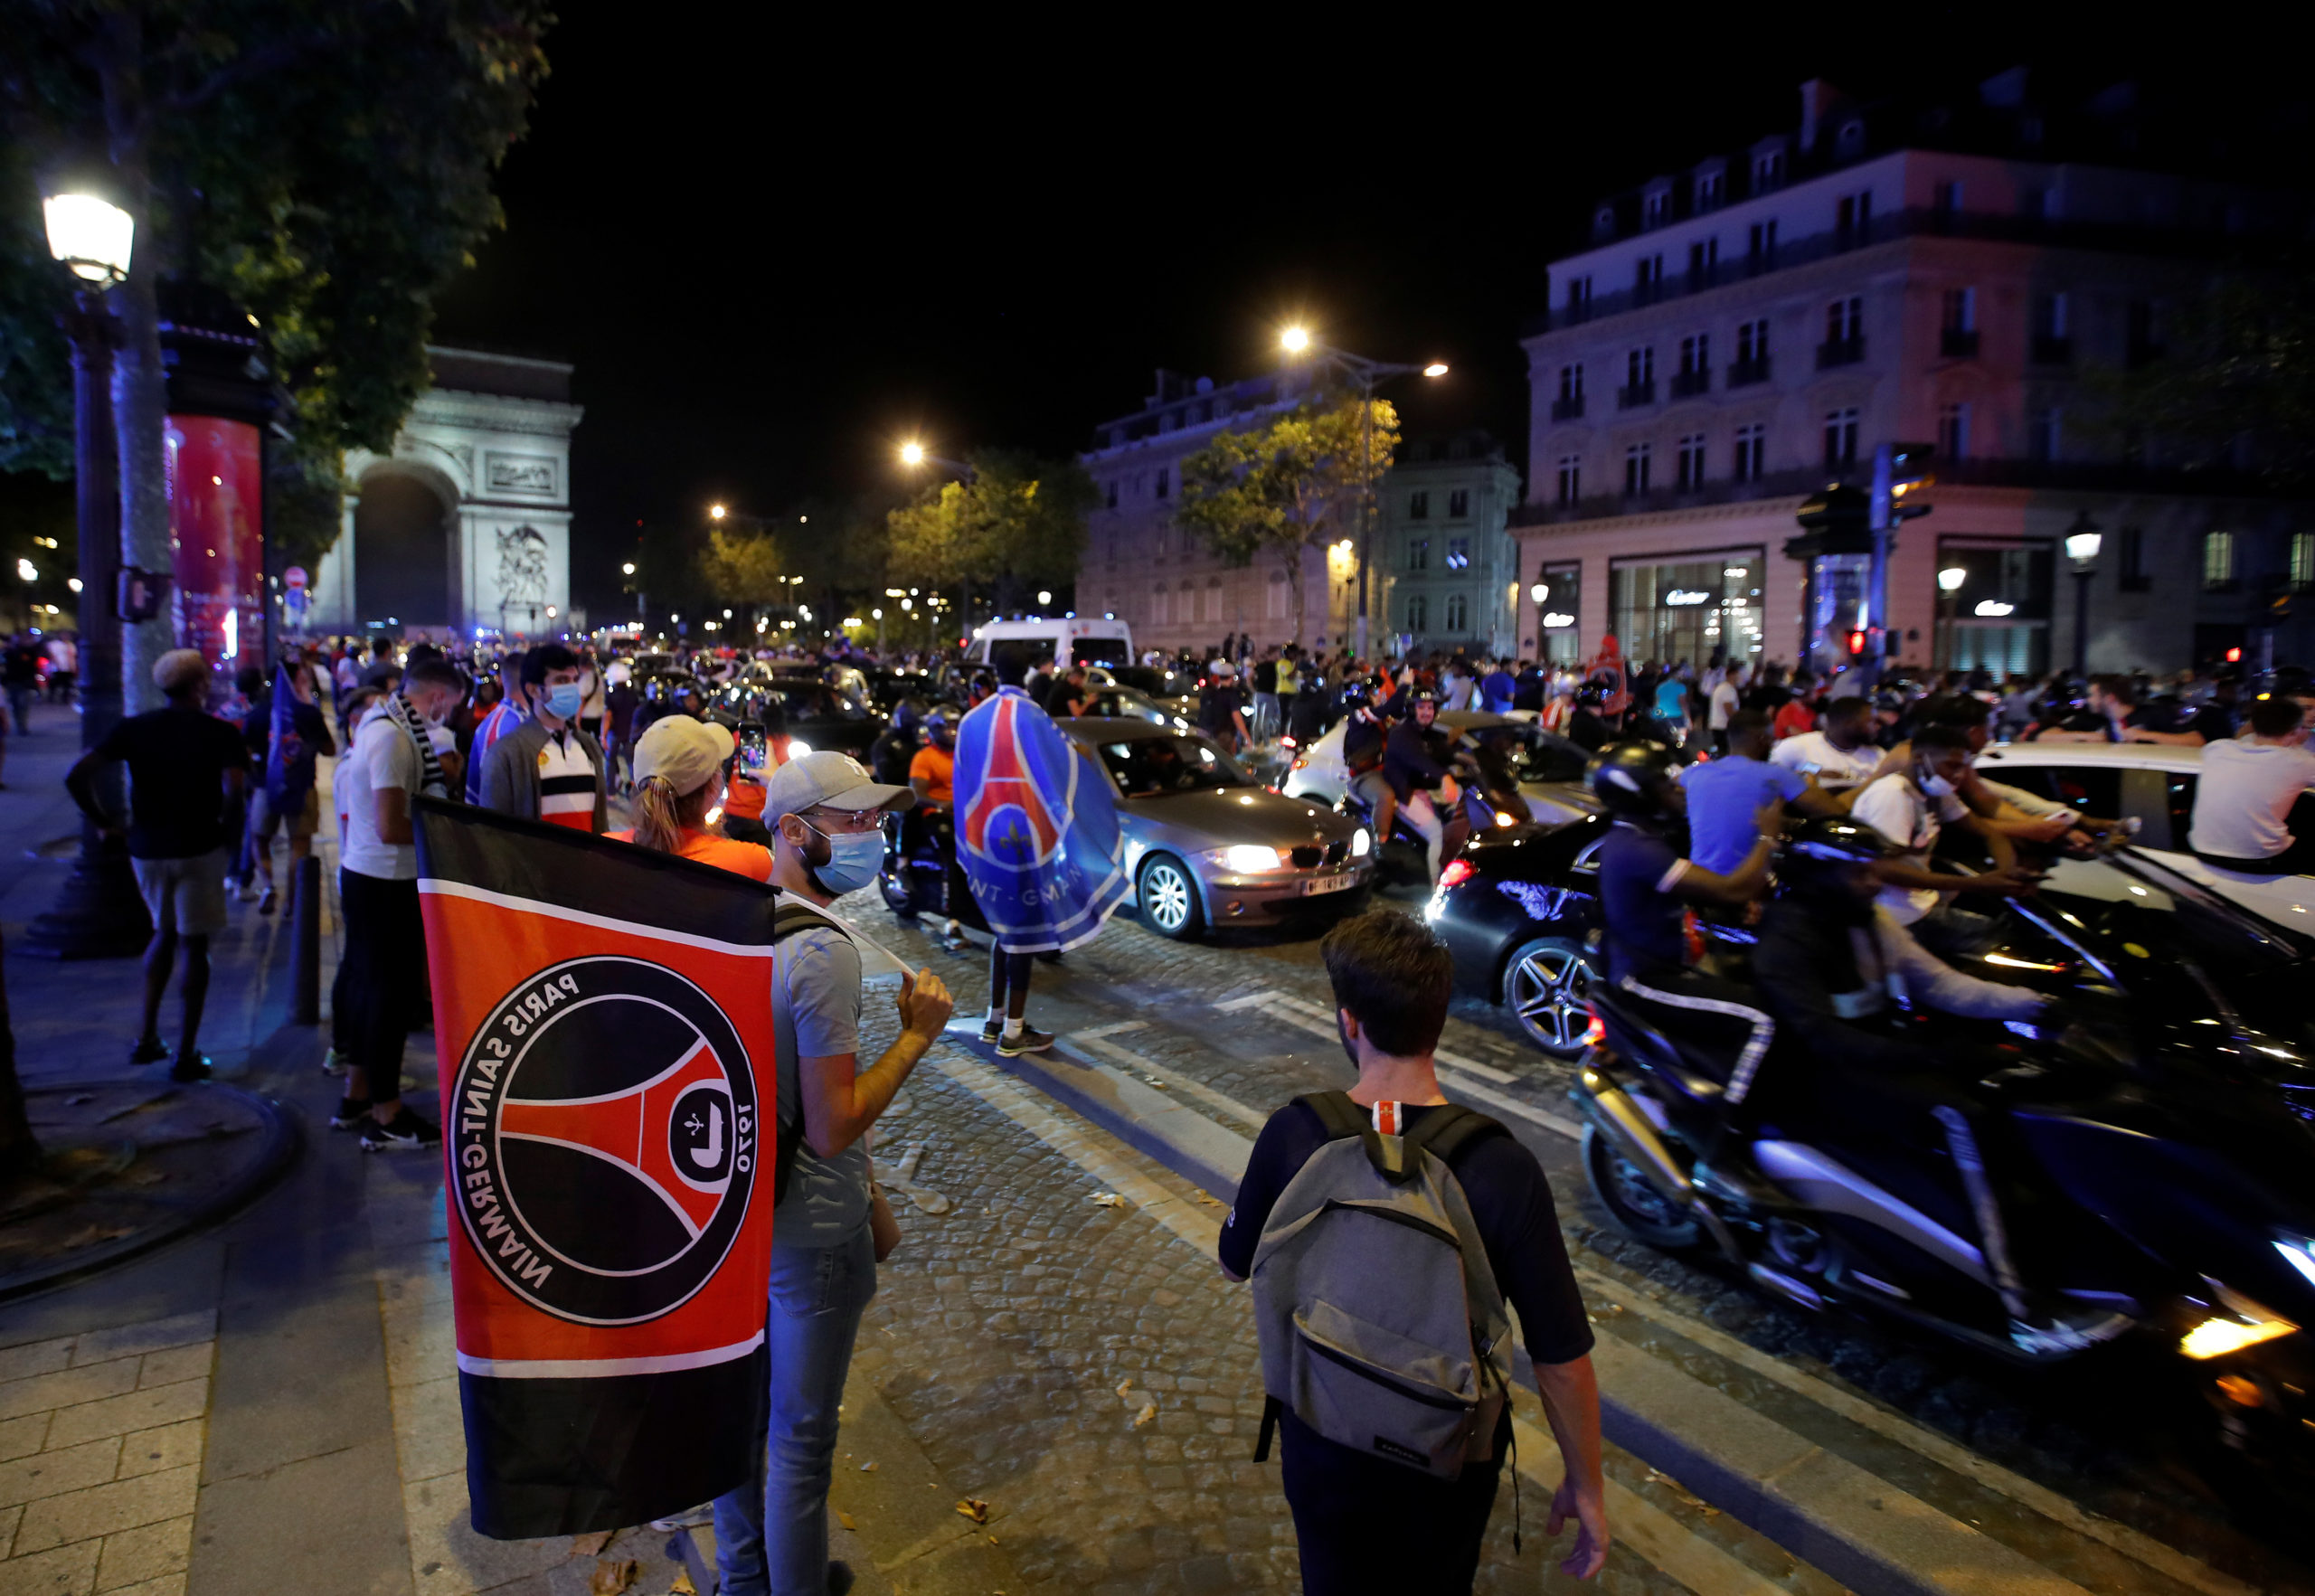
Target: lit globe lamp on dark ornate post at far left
(98,914)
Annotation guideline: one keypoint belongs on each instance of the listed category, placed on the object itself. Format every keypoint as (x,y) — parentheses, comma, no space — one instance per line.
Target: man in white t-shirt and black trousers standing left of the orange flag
(379,888)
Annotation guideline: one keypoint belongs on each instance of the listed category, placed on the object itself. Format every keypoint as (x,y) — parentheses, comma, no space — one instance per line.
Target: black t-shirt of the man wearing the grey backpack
(1508,1199)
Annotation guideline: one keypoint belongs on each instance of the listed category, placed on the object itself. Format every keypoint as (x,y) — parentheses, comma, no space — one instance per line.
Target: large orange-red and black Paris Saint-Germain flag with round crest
(603,1016)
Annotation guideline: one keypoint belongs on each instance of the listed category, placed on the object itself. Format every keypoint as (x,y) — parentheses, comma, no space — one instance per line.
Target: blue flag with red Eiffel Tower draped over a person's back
(1036,828)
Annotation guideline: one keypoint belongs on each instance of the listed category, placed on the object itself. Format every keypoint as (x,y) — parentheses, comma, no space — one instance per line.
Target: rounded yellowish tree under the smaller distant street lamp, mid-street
(1013,525)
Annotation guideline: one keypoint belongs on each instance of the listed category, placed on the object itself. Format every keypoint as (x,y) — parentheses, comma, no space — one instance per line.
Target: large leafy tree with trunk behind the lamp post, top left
(328,163)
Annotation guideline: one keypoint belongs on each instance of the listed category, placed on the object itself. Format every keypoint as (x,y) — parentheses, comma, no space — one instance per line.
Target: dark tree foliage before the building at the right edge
(2235,383)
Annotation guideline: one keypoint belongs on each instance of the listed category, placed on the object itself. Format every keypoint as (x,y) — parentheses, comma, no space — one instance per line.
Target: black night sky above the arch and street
(772,256)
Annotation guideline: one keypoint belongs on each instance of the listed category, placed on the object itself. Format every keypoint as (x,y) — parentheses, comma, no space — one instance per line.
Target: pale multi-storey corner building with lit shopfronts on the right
(1749,330)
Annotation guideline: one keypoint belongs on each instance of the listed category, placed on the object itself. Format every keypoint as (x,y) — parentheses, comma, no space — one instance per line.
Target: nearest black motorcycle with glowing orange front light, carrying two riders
(2163,1166)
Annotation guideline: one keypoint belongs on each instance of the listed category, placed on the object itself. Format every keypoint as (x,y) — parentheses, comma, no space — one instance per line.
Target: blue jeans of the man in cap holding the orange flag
(772,1537)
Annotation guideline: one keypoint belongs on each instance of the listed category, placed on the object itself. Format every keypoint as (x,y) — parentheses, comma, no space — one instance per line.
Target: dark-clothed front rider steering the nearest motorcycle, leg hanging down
(1830,960)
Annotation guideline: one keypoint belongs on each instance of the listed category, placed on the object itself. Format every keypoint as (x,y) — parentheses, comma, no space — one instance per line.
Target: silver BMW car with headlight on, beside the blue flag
(1205,844)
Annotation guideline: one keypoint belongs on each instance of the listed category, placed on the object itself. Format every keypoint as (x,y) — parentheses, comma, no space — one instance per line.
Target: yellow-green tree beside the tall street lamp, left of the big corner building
(1291,485)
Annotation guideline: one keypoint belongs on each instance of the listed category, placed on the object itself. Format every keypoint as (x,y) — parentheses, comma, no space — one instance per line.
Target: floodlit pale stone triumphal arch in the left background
(464,529)
